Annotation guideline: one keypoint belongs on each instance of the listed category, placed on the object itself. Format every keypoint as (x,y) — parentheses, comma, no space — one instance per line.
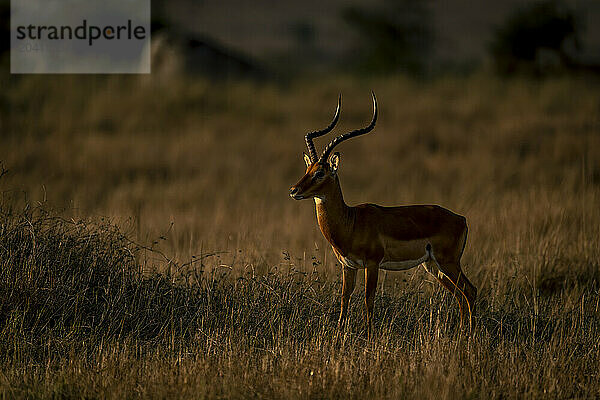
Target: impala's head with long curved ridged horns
(321,172)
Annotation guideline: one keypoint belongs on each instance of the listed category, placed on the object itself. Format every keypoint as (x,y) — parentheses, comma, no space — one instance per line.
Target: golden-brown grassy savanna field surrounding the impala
(149,247)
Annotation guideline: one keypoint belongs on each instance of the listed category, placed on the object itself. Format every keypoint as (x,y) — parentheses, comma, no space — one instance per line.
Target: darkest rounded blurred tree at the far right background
(536,39)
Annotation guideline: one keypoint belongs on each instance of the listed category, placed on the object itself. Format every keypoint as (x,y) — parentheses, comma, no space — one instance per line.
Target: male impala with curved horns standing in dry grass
(372,237)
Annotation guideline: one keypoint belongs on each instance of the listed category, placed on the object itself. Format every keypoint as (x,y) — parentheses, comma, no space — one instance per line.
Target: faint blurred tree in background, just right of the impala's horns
(397,37)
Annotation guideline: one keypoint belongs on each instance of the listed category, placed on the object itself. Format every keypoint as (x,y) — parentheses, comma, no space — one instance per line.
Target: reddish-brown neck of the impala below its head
(335,218)
